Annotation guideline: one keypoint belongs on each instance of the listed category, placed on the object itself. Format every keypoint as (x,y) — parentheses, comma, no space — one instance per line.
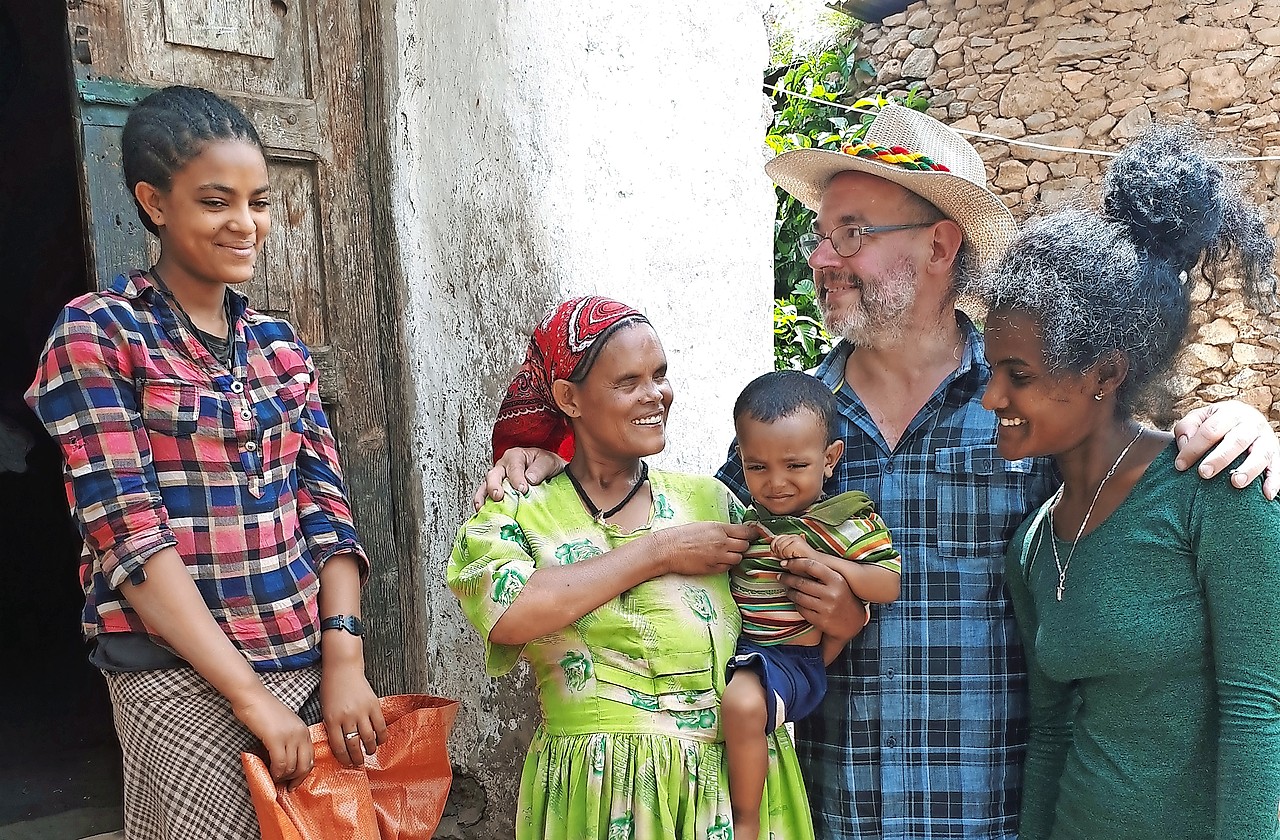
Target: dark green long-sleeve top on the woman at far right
(1155,683)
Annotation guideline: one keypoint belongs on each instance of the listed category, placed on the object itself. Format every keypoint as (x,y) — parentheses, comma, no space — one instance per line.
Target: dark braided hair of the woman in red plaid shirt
(170,129)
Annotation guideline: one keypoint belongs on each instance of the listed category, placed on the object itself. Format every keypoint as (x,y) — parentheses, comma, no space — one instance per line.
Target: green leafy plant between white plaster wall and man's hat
(833,76)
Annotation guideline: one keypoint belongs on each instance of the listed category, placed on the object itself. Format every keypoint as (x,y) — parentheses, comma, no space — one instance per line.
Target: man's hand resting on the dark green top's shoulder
(1229,430)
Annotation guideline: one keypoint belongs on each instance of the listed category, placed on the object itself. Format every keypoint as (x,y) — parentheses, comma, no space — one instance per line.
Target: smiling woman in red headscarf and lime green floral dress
(610,581)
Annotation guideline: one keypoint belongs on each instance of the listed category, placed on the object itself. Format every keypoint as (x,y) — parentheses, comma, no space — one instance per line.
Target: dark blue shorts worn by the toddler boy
(794,678)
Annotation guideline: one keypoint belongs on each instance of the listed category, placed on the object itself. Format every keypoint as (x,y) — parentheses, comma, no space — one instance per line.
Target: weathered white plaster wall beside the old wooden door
(547,149)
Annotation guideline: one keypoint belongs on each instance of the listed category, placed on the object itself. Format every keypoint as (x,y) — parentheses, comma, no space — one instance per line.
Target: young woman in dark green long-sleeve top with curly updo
(1146,597)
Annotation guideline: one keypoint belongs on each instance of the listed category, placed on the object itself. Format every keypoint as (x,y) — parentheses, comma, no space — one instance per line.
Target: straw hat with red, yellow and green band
(920,154)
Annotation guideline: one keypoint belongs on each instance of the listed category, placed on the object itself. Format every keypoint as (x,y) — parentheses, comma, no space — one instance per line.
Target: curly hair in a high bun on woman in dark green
(1118,281)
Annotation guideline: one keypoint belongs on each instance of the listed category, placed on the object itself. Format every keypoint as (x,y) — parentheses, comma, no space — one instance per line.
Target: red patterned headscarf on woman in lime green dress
(529,416)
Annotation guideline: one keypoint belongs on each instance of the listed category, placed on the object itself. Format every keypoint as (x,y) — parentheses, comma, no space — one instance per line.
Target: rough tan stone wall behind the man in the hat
(1092,75)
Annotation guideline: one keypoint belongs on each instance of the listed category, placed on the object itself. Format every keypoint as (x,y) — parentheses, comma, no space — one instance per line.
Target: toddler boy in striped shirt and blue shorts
(787,437)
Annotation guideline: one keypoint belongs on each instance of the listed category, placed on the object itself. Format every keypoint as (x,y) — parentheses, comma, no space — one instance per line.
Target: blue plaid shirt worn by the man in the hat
(925,725)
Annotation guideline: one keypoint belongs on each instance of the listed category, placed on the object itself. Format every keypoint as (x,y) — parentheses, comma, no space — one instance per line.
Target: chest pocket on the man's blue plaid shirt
(982,499)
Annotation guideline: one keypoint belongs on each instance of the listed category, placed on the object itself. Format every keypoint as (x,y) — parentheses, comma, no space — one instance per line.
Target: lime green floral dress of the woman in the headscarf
(630,746)
